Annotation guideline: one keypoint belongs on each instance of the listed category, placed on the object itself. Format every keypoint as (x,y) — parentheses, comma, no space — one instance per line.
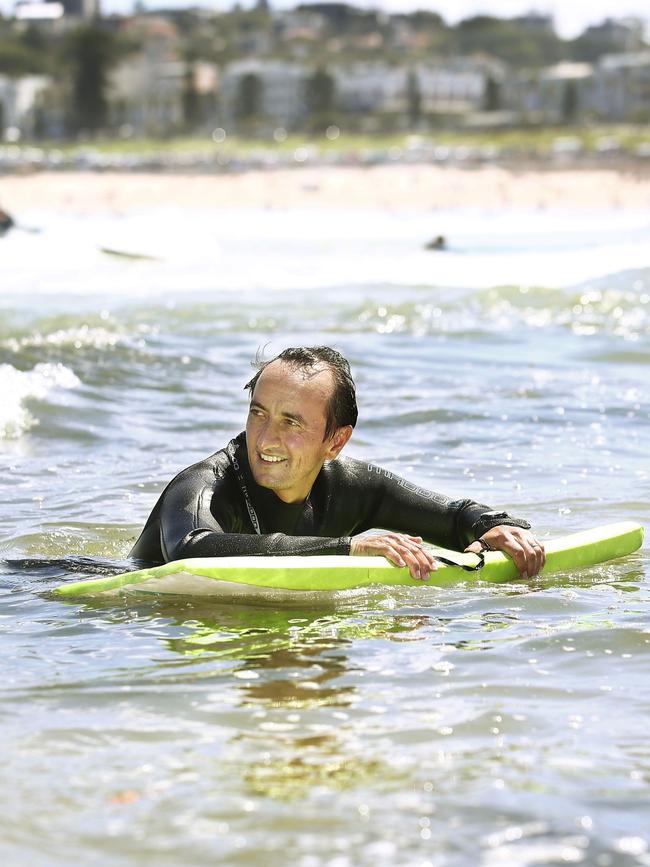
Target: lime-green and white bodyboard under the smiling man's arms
(219,576)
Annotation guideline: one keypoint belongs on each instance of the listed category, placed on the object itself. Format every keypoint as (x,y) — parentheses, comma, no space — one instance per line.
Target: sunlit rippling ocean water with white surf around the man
(473,725)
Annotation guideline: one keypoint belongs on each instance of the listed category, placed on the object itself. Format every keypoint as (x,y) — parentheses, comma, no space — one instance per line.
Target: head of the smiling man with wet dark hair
(302,412)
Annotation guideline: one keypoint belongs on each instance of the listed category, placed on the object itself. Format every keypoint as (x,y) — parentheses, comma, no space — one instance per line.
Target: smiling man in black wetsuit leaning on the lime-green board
(281,487)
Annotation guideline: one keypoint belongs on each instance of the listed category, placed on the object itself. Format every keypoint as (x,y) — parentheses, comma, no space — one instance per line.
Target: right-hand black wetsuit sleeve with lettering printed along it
(396,504)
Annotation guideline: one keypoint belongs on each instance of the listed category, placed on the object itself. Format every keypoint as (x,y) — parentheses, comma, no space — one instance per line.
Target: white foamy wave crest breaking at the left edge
(19,386)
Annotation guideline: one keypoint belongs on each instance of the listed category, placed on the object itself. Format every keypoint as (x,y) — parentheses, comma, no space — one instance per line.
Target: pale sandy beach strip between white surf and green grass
(418,187)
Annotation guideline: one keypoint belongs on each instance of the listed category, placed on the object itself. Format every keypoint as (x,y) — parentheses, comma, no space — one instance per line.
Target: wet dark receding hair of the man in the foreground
(342,407)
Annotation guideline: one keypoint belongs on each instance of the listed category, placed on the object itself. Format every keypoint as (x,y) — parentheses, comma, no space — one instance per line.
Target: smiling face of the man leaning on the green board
(285,429)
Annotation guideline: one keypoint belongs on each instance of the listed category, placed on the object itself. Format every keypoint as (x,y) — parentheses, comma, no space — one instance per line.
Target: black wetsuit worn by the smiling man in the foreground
(203,512)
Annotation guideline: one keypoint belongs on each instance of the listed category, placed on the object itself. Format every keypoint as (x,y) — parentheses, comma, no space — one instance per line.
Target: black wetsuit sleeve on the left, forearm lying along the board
(189,529)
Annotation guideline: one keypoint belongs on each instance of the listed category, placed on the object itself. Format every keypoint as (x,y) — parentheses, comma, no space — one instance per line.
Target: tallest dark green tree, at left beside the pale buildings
(92,52)
